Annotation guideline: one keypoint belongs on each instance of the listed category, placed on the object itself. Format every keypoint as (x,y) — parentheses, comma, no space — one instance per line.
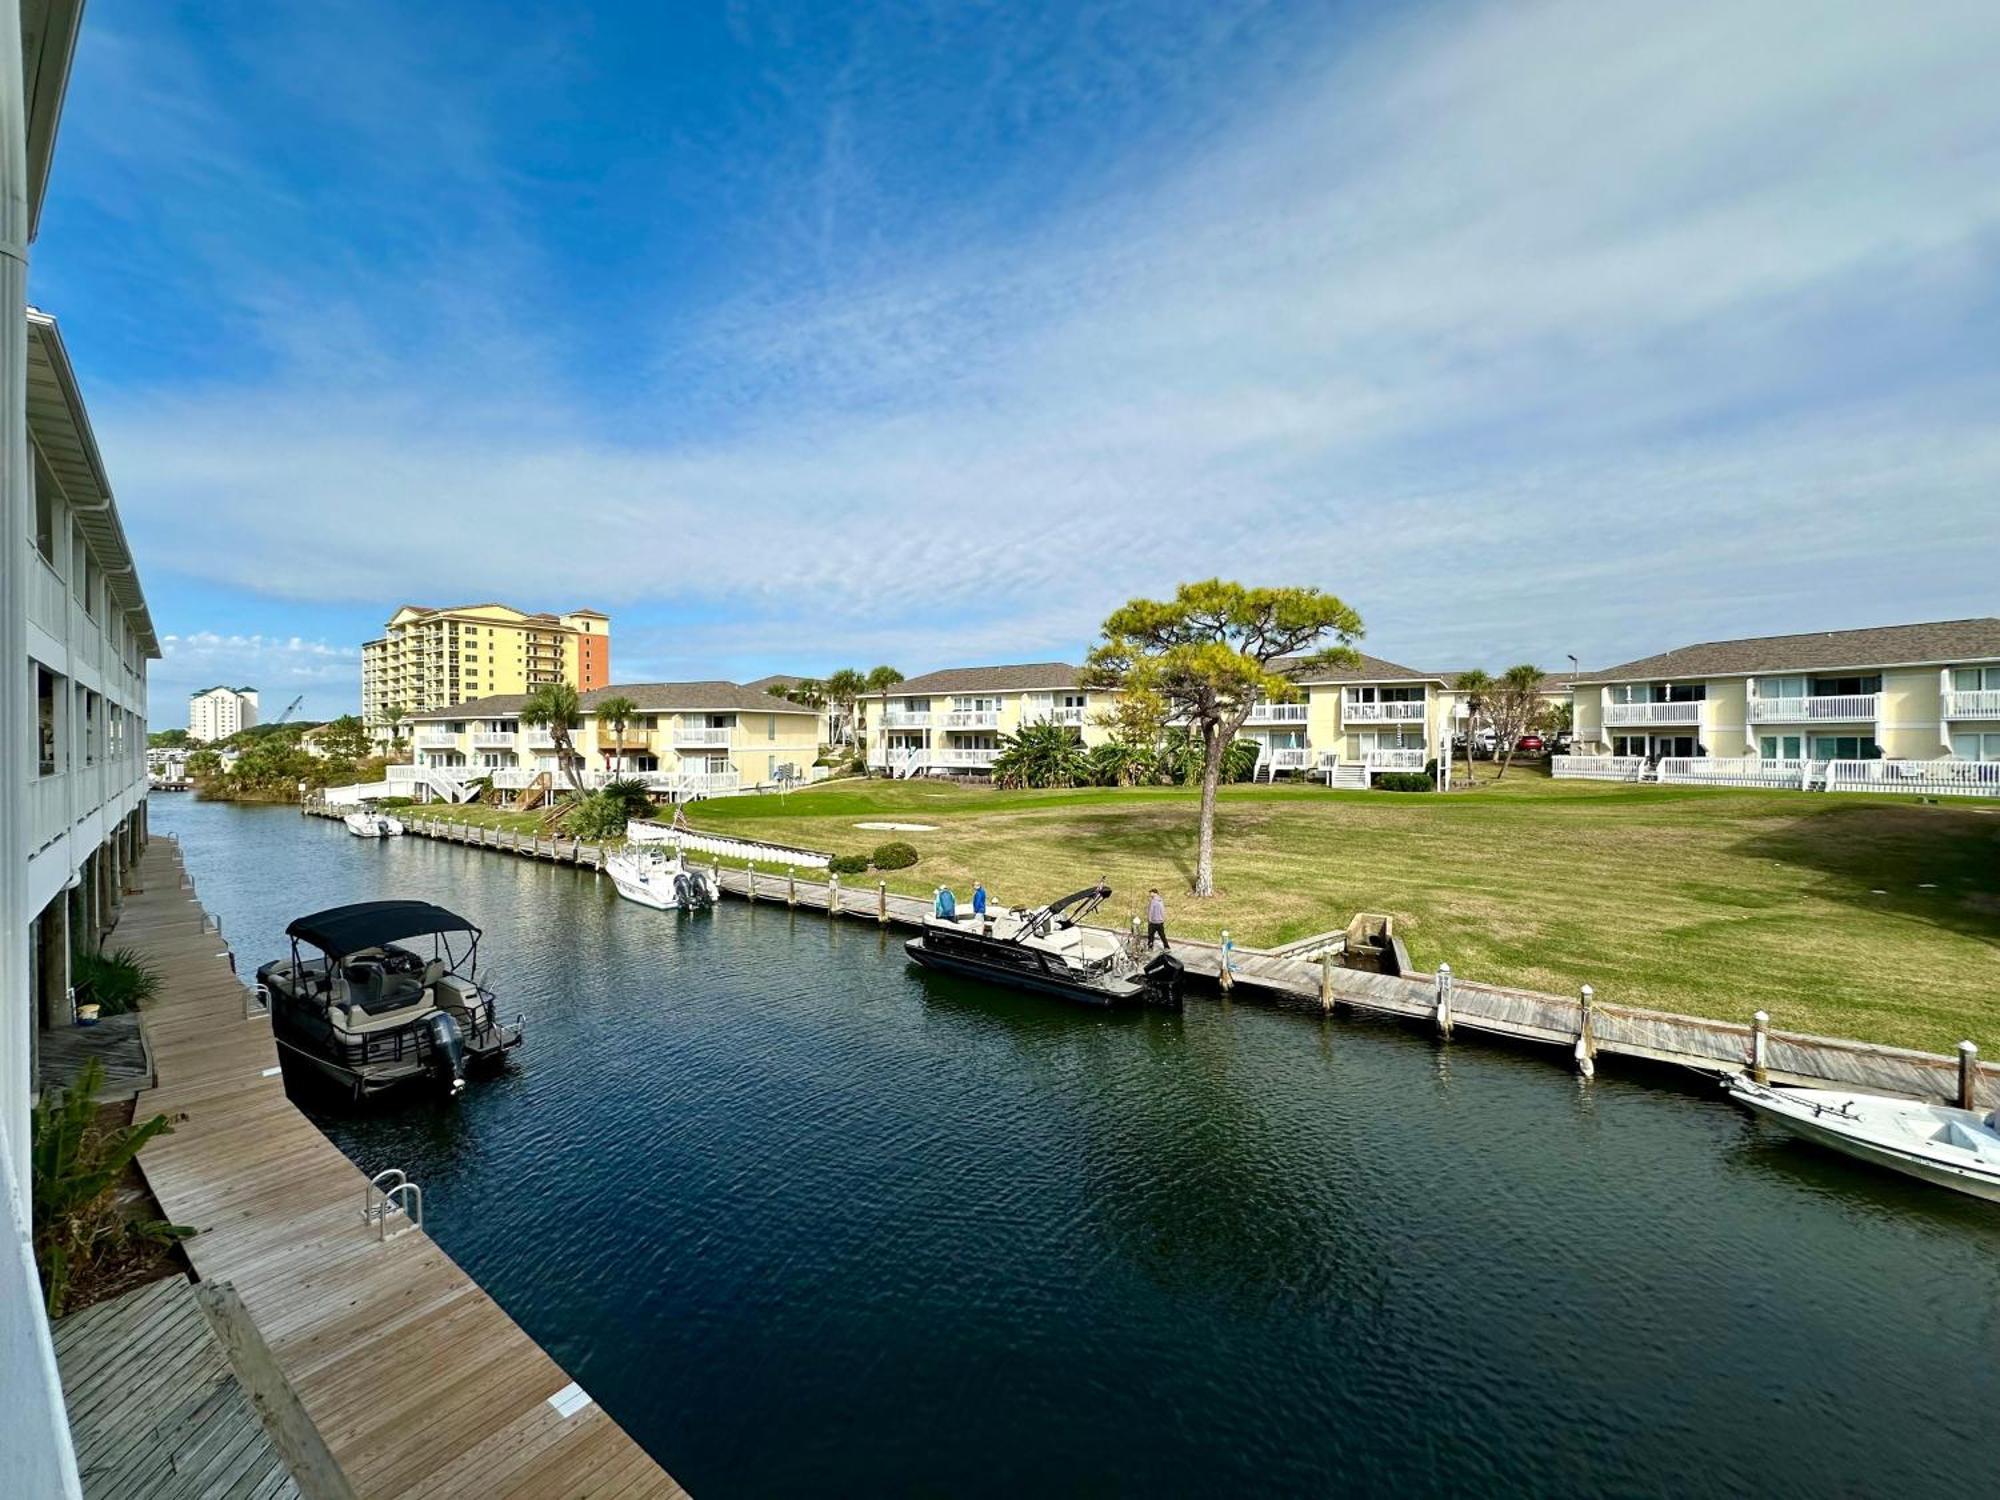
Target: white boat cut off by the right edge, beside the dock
(1935,1143)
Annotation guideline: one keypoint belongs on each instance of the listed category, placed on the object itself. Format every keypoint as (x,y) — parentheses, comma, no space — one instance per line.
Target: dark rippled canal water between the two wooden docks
(805,1219)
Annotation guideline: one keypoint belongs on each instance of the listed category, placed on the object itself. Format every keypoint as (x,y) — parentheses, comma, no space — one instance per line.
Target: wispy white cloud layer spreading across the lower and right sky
(1529,329)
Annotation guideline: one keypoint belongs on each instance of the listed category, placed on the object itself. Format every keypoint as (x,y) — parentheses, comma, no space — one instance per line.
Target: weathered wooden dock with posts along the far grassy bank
(1583,1027)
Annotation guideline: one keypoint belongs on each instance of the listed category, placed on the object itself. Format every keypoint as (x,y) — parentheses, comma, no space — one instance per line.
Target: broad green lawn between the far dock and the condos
(1843,915)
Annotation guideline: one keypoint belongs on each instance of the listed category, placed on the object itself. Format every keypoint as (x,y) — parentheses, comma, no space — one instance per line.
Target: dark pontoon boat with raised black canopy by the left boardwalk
(373,1015)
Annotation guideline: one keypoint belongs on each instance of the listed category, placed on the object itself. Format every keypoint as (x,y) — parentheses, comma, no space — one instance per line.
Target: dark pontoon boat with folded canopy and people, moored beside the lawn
(1049,949)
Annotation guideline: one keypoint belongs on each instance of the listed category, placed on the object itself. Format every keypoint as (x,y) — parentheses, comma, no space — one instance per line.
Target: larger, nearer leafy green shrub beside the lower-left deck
(75,1185)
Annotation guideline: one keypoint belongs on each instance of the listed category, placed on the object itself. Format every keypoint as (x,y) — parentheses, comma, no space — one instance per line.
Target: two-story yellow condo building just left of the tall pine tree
(951,723)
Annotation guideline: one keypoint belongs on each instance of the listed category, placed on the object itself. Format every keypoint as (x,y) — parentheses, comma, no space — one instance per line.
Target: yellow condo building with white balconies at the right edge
(1837,709)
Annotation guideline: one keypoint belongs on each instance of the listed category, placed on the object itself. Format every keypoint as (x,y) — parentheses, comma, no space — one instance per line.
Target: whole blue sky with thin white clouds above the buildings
(803,337)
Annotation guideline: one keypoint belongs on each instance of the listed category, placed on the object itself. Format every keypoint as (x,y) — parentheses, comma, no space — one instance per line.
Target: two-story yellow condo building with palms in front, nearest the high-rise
(685,739)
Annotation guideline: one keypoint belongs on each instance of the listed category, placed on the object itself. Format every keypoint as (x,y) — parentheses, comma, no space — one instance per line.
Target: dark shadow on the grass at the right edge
(1919,863)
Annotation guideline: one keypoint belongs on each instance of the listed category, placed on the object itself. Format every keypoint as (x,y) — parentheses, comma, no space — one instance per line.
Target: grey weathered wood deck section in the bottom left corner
(155,1409)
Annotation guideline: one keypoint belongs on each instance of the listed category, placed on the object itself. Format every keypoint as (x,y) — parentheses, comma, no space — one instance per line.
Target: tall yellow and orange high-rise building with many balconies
(435,659)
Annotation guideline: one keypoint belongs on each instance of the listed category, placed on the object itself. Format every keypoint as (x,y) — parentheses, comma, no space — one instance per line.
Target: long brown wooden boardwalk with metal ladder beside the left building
(413,1377)
